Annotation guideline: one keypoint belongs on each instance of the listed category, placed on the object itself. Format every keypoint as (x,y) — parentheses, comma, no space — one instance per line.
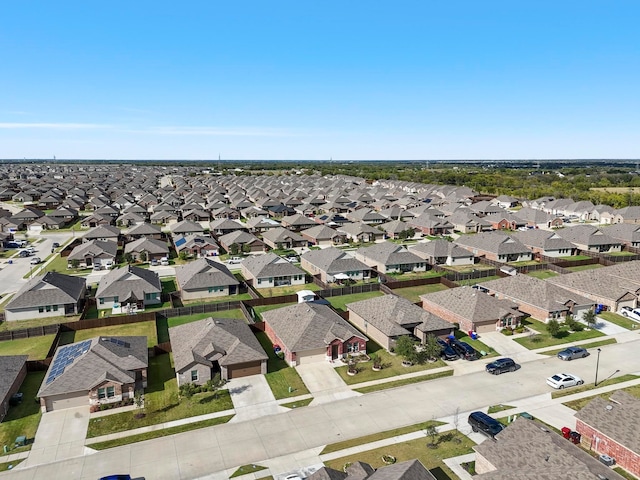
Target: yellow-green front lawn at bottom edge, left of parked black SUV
(449,444)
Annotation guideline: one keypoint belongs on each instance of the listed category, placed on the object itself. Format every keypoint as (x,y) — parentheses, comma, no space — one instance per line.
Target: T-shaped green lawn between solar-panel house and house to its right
(161,402)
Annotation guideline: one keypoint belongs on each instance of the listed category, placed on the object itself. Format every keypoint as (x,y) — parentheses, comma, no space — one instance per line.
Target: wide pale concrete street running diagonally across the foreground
(201,453)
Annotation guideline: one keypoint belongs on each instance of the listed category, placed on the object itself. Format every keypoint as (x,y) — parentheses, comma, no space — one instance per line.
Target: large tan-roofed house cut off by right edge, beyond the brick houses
(615,286)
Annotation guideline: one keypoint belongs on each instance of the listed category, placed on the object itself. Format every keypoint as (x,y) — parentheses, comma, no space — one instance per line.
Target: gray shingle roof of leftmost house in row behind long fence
(52,288)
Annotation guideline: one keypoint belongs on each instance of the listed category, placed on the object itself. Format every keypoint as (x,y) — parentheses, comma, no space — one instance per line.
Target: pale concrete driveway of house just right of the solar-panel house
(252,398)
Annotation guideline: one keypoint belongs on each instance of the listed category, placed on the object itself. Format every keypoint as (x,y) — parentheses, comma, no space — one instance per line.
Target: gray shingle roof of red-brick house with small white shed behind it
(308,326)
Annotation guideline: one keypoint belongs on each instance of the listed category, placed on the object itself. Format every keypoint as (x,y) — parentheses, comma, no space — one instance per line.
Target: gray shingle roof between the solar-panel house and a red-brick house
(227,340)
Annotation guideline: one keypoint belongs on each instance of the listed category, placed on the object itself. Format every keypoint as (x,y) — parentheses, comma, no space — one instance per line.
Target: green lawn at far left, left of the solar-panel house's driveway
(23,419)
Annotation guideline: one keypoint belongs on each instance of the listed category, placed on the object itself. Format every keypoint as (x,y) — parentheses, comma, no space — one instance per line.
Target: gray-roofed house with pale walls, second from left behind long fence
(132,286)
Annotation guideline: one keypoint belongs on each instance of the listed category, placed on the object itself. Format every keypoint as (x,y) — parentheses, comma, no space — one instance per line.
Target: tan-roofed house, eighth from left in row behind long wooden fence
(495,246)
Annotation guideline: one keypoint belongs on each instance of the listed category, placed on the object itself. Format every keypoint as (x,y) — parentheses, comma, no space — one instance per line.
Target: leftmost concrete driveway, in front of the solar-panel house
(60,436)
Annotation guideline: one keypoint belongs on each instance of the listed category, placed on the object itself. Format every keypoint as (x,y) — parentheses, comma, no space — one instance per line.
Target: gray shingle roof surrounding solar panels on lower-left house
(103,360)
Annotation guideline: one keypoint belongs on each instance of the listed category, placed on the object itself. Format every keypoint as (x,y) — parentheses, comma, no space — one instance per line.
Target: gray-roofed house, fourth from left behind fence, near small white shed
(270,270)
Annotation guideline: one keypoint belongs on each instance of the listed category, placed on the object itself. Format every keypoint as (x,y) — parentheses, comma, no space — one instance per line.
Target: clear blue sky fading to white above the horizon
(318,80)
